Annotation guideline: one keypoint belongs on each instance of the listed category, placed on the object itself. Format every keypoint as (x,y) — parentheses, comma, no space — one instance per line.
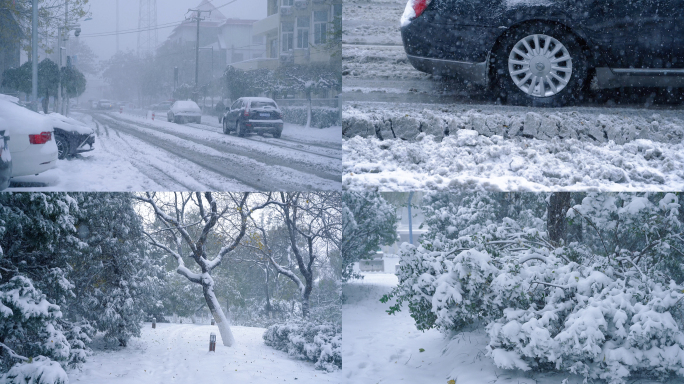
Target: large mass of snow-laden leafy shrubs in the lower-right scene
(604,307)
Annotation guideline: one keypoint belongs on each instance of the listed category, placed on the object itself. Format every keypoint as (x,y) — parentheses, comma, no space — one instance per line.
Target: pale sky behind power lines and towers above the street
(104,20)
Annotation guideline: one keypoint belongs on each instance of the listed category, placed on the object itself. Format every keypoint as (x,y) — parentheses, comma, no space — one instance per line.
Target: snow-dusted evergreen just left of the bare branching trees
(114,275)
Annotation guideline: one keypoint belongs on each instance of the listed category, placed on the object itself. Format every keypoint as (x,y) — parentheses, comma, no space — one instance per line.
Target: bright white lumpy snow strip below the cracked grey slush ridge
(470,160)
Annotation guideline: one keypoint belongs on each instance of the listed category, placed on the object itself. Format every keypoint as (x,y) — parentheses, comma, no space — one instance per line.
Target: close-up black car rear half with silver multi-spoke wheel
(544,52)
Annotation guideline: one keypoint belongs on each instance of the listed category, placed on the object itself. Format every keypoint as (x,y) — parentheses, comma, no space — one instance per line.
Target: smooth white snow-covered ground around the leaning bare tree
(178,353)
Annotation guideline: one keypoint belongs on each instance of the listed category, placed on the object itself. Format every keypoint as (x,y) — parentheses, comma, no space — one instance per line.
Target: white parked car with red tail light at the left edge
(32,142)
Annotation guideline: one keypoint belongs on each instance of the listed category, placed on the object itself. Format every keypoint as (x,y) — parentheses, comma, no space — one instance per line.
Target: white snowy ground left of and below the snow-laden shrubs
(379,348)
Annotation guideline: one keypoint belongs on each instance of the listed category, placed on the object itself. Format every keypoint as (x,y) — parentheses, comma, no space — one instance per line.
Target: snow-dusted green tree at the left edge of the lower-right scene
(368,221)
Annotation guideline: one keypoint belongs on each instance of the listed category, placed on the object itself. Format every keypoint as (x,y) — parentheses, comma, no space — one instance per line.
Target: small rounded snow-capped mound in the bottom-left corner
(40,371)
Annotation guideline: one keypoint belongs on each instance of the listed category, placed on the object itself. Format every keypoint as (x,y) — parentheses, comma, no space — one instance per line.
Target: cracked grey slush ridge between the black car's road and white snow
(409,122)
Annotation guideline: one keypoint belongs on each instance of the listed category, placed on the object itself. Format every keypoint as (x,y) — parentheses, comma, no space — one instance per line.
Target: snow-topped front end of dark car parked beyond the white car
(71,136)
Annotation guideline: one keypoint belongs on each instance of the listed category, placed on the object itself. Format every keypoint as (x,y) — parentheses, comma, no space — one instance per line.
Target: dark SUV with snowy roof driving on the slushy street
(253,114)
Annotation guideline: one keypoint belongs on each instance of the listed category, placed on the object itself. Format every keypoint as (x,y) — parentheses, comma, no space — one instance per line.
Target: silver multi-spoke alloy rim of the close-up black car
(540,65)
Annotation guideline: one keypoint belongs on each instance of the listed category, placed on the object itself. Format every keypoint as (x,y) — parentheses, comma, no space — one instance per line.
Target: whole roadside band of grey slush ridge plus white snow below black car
(511,148)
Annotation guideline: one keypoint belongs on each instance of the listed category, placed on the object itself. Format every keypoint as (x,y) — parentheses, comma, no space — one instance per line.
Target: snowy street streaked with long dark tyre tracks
(133,153)
